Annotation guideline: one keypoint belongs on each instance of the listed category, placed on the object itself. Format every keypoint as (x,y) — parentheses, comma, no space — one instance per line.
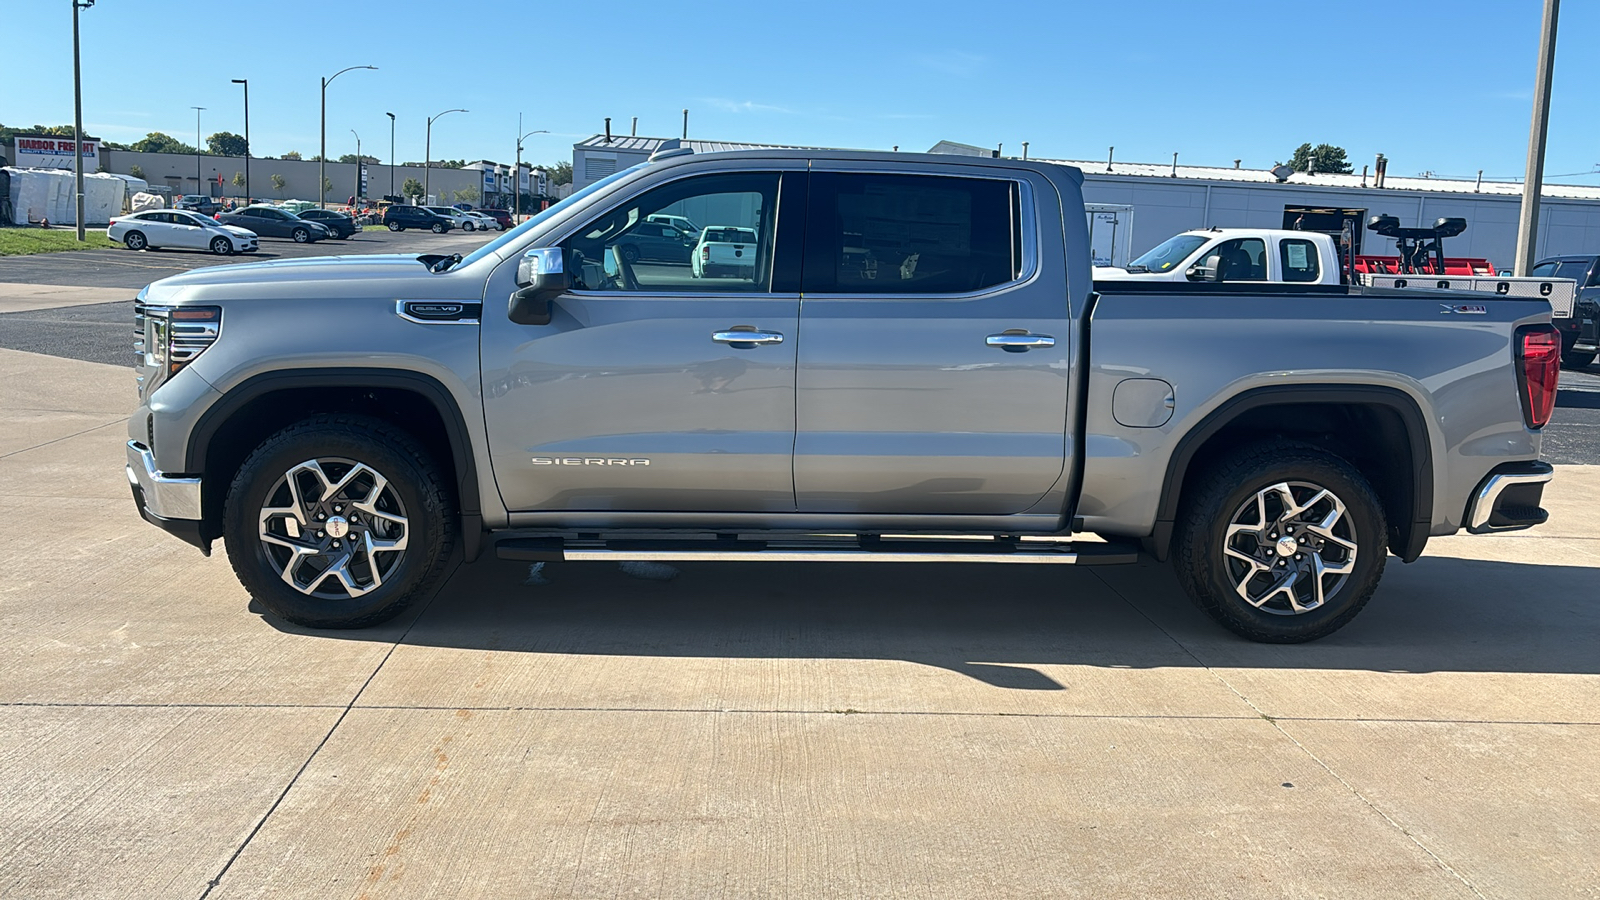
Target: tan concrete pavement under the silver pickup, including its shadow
(770,731)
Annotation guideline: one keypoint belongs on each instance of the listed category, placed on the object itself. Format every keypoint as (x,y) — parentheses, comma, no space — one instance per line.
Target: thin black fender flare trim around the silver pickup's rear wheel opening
(1414,534)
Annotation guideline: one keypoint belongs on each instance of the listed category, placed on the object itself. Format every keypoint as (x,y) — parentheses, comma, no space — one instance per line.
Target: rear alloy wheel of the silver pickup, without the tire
(1290,548)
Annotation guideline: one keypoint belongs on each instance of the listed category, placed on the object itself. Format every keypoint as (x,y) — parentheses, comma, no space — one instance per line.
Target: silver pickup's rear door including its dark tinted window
(934,356)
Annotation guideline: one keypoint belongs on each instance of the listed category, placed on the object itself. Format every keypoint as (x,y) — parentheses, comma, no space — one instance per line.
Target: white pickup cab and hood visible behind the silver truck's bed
(1234,255)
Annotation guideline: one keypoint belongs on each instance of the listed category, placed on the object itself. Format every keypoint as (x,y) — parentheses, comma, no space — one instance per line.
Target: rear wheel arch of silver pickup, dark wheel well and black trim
(1358,422)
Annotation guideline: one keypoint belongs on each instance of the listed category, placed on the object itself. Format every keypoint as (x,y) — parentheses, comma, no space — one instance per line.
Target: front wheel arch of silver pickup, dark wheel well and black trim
(230,430)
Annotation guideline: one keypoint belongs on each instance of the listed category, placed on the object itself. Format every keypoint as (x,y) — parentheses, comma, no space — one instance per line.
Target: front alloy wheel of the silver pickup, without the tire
(334,529)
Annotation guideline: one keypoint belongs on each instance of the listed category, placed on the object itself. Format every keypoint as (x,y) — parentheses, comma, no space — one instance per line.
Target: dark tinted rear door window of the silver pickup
(916,235)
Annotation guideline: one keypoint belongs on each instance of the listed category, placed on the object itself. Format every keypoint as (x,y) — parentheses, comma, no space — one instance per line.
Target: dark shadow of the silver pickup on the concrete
(998,624)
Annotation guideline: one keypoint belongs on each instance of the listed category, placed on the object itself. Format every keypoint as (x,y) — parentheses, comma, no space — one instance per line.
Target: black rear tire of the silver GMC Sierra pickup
(1228,492)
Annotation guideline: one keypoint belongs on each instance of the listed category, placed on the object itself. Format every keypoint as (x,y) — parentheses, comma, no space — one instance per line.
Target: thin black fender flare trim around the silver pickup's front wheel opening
(430,388)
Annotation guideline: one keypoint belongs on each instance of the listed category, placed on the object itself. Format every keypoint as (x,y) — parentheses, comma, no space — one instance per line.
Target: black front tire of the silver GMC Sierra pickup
(415,489)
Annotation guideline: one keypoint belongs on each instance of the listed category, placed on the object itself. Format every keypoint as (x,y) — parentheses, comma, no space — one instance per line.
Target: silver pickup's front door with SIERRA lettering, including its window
(652,390)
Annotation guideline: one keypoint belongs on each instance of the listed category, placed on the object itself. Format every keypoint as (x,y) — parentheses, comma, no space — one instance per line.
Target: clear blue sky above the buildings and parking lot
(1439,86)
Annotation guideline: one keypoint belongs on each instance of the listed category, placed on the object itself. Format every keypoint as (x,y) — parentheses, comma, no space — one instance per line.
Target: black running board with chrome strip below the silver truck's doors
(822,550)
